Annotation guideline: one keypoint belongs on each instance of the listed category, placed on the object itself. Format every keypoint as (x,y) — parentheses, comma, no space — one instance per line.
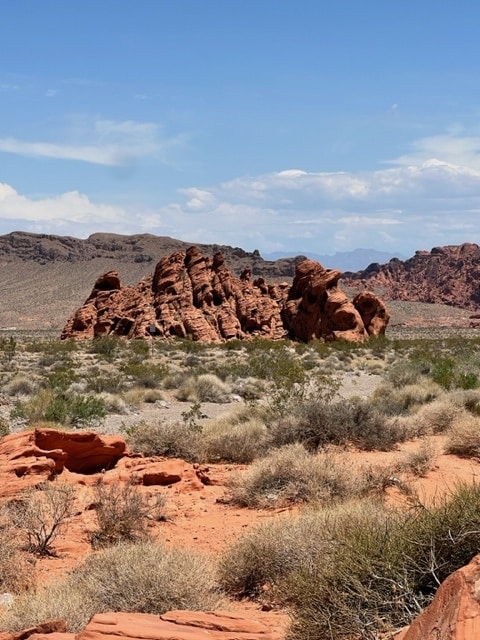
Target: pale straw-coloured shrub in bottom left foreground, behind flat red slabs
(143,577)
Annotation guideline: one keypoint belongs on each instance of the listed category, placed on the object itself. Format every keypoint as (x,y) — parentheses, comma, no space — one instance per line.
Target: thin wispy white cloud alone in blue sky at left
(107,142)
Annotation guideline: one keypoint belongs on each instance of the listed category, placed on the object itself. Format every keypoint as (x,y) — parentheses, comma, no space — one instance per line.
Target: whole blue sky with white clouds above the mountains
(278,125)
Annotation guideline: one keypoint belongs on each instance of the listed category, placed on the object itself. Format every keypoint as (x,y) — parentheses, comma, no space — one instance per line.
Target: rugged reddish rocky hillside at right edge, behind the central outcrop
(446,275)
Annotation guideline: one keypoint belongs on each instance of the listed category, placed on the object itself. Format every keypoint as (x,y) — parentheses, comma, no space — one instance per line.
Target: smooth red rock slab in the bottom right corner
(454,613)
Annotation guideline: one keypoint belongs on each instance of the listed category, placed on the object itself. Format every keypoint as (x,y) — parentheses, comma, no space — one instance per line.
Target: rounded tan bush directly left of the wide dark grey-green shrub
(233,438)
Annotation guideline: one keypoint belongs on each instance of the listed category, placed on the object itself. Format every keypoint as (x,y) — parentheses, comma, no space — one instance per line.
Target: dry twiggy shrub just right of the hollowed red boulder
(173,440)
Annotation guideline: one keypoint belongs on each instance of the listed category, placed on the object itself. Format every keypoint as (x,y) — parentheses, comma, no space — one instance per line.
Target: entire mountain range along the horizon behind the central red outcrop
(44,278)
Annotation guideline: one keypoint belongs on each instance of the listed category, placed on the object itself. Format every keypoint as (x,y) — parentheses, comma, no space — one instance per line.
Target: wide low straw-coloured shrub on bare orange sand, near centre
(291,474)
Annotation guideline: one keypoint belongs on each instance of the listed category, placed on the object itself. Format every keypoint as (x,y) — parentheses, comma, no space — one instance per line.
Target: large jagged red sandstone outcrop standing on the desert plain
(190,295)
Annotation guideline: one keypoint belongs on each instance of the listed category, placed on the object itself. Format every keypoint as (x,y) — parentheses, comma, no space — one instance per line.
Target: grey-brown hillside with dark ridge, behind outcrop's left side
(43,278)
